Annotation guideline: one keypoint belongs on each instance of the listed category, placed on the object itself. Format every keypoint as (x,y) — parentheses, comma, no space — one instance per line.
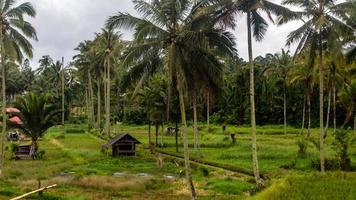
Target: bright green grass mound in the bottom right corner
(328,186)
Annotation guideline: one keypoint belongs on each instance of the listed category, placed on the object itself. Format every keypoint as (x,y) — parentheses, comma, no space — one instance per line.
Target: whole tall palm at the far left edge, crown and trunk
(14,44)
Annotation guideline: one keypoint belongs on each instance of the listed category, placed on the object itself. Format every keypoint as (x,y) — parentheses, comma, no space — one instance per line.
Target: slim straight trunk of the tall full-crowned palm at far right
(321,101)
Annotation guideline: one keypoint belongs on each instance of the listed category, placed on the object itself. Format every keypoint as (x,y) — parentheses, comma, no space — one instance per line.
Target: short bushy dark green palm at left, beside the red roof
(38,114)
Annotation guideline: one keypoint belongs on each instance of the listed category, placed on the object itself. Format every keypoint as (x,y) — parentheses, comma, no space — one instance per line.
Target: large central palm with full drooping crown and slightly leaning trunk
(173,34)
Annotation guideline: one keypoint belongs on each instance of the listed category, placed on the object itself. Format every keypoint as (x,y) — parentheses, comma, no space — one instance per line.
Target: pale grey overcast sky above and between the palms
(62,24)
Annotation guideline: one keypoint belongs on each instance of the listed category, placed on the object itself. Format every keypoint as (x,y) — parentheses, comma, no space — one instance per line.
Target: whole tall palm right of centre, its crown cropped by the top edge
(257,25)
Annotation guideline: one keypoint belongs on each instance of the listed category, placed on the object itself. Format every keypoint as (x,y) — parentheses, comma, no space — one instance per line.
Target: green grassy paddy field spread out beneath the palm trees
(221,170)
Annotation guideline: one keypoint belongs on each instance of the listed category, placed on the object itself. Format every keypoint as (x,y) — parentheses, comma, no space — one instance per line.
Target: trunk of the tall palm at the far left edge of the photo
(2,53)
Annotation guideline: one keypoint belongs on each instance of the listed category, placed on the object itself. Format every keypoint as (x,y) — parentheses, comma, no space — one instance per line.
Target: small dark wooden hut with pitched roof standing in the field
(122,145)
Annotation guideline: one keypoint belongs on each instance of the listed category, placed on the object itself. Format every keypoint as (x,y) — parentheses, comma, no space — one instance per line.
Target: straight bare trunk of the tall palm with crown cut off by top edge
(252,101)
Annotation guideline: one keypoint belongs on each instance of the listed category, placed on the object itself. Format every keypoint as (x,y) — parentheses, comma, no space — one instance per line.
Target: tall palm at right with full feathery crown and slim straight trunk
(321,19)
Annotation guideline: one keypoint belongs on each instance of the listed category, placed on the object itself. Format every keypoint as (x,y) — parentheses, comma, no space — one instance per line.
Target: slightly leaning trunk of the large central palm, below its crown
(185,144)
